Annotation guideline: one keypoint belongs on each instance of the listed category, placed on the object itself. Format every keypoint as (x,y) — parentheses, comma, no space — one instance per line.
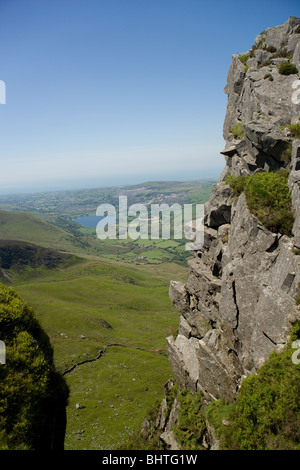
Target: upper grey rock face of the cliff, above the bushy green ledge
(262,100)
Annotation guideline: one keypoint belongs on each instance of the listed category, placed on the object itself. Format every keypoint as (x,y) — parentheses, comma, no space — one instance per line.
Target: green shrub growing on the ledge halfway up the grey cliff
(268,198)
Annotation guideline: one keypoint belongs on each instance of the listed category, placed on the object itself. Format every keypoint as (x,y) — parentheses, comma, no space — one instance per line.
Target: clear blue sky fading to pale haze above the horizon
(104,92)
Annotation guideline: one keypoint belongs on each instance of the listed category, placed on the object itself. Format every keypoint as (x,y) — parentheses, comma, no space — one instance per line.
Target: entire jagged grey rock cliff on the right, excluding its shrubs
(238,303)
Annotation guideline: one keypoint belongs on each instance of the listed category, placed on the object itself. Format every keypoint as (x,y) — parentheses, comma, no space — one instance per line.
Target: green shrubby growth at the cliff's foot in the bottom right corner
(266,413)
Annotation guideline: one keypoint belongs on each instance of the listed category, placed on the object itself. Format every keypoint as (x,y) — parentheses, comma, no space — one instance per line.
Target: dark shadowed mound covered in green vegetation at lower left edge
(33,395)
